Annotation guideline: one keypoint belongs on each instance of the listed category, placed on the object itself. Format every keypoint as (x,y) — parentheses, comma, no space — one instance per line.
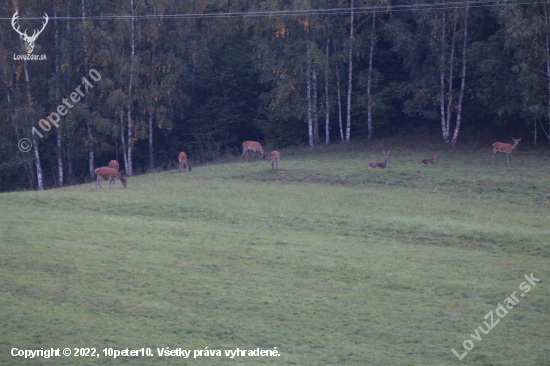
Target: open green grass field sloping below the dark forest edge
(327,261)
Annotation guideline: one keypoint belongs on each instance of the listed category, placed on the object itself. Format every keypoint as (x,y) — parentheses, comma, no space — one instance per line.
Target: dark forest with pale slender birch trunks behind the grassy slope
(205,84)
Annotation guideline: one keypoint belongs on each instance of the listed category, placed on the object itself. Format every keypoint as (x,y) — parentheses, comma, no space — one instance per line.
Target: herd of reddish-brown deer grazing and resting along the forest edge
(112,171)
